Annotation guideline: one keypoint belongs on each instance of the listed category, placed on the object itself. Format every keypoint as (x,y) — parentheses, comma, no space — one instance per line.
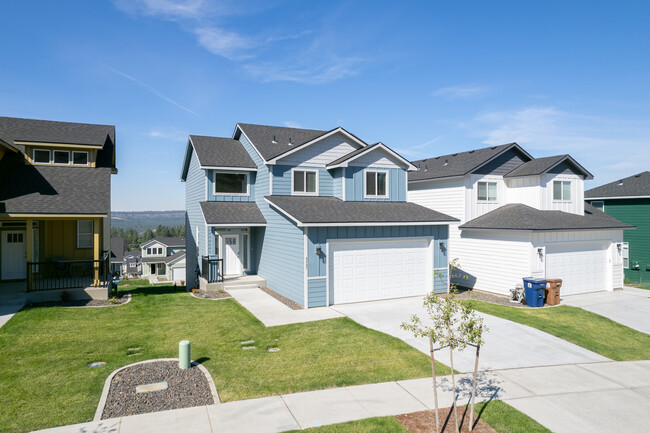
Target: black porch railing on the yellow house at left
(68,274)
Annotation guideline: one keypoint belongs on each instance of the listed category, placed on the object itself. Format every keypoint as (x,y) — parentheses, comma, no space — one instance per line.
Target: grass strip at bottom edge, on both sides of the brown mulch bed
(502,417)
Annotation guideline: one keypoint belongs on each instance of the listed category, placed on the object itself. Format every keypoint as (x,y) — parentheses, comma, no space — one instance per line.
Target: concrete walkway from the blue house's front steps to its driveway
(272,312)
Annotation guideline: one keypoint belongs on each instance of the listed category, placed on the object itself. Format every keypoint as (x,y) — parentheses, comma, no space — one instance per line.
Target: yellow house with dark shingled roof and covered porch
(55,201)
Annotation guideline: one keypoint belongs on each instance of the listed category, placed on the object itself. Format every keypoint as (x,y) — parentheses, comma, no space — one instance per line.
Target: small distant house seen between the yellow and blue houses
(164,257)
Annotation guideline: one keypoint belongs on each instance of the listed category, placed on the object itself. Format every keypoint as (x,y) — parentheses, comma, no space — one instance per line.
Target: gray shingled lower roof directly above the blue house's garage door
(331,210)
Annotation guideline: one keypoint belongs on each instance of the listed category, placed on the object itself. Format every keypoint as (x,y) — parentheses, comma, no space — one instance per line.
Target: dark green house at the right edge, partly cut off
(629,201)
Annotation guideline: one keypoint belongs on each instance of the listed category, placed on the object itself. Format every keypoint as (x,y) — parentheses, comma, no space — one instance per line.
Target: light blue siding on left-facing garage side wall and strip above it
(281,255)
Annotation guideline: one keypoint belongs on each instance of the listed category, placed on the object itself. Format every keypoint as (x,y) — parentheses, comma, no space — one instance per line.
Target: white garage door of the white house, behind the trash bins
(582,267)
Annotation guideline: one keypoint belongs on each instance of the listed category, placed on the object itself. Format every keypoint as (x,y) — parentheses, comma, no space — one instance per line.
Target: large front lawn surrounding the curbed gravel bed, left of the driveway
(44,352)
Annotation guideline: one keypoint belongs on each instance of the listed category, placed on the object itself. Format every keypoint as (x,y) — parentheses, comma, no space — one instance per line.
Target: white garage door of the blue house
(371,270)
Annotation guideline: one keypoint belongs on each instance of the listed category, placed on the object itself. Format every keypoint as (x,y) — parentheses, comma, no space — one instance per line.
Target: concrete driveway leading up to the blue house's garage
(508,344)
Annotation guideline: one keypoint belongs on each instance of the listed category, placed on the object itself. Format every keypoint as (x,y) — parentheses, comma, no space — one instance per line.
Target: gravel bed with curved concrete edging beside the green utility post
(186,388)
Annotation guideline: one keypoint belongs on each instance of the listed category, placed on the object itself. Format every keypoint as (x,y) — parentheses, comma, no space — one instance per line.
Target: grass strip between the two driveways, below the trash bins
(586,329)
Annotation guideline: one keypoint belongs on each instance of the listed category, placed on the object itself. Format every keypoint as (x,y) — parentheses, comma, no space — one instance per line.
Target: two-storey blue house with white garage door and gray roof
(321,216)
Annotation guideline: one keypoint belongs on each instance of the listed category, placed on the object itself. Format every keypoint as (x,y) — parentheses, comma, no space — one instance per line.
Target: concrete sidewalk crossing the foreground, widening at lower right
(609,396)
